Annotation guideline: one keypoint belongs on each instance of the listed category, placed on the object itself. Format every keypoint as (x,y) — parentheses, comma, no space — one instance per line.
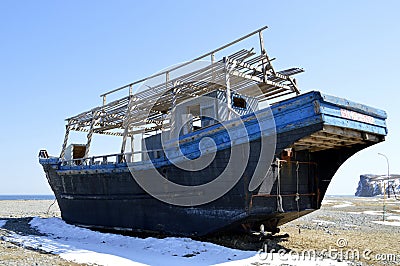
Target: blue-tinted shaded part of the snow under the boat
(101,248)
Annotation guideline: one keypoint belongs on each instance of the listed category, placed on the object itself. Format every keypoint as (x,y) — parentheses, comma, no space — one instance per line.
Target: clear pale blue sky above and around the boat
(57,57)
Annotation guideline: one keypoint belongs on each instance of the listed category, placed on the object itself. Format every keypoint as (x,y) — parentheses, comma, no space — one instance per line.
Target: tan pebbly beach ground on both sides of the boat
(348,229)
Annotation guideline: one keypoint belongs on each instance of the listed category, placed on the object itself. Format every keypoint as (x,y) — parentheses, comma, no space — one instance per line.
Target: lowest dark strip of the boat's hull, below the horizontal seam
(121,216)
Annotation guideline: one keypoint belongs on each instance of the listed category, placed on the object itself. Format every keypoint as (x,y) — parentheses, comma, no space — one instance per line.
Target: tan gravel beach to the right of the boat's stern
(350,224)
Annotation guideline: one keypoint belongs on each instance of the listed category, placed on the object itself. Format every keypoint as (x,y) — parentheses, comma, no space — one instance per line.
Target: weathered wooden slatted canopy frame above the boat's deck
(148,109)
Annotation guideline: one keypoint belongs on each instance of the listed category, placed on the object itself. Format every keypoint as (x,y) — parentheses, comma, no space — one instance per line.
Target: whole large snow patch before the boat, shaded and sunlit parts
(85,246)
